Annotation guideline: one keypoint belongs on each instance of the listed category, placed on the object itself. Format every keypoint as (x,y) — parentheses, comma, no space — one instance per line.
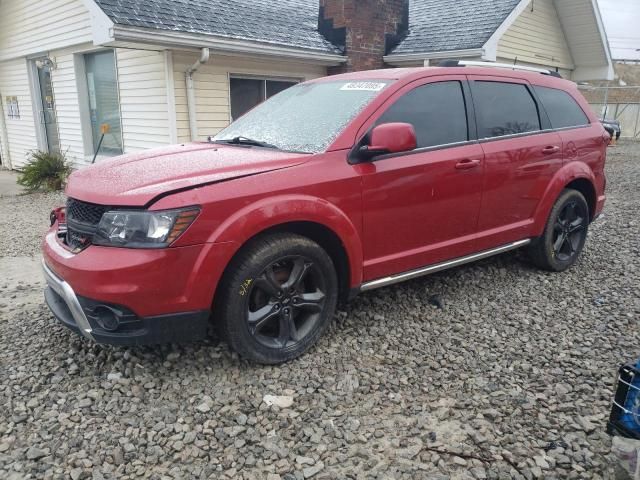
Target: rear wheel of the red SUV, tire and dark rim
(564,235)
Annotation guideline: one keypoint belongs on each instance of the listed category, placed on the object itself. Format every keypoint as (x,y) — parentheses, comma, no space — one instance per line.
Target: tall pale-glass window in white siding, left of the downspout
(103,102)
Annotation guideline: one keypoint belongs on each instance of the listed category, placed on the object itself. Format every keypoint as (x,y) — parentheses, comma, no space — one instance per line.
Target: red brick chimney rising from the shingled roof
(365,29)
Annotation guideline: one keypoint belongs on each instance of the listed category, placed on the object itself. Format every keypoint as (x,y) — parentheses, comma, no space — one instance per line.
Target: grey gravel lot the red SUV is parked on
(511,378)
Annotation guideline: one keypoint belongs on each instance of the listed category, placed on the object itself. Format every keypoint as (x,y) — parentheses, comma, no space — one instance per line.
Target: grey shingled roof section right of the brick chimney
(443,25)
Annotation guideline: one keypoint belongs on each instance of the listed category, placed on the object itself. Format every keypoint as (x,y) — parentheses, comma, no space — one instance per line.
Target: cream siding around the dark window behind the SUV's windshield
(212,87)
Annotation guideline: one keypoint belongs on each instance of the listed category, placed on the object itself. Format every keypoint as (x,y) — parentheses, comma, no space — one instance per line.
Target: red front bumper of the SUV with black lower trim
(155,295)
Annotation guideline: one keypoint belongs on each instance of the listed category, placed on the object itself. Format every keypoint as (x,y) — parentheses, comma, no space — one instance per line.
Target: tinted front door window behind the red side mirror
(436,111)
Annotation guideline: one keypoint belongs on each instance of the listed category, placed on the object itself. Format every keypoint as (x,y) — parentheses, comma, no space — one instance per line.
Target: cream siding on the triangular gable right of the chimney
(536,37)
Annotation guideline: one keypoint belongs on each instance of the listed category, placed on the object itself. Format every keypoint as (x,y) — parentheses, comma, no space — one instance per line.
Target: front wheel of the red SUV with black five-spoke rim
(277,298)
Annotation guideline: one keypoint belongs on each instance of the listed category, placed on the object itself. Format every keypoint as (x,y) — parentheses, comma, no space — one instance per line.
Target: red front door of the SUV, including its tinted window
(421,207)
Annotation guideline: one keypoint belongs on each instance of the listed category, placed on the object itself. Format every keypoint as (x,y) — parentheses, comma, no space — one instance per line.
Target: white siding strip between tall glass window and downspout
(143,99)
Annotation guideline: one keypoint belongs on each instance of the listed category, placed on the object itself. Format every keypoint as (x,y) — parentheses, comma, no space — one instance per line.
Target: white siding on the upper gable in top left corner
(33,26)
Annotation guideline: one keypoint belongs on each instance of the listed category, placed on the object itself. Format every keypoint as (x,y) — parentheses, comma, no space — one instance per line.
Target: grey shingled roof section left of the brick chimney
(288,23)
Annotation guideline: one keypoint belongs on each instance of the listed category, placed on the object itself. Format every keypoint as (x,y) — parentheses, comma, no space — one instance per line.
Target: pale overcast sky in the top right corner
(622,21)
